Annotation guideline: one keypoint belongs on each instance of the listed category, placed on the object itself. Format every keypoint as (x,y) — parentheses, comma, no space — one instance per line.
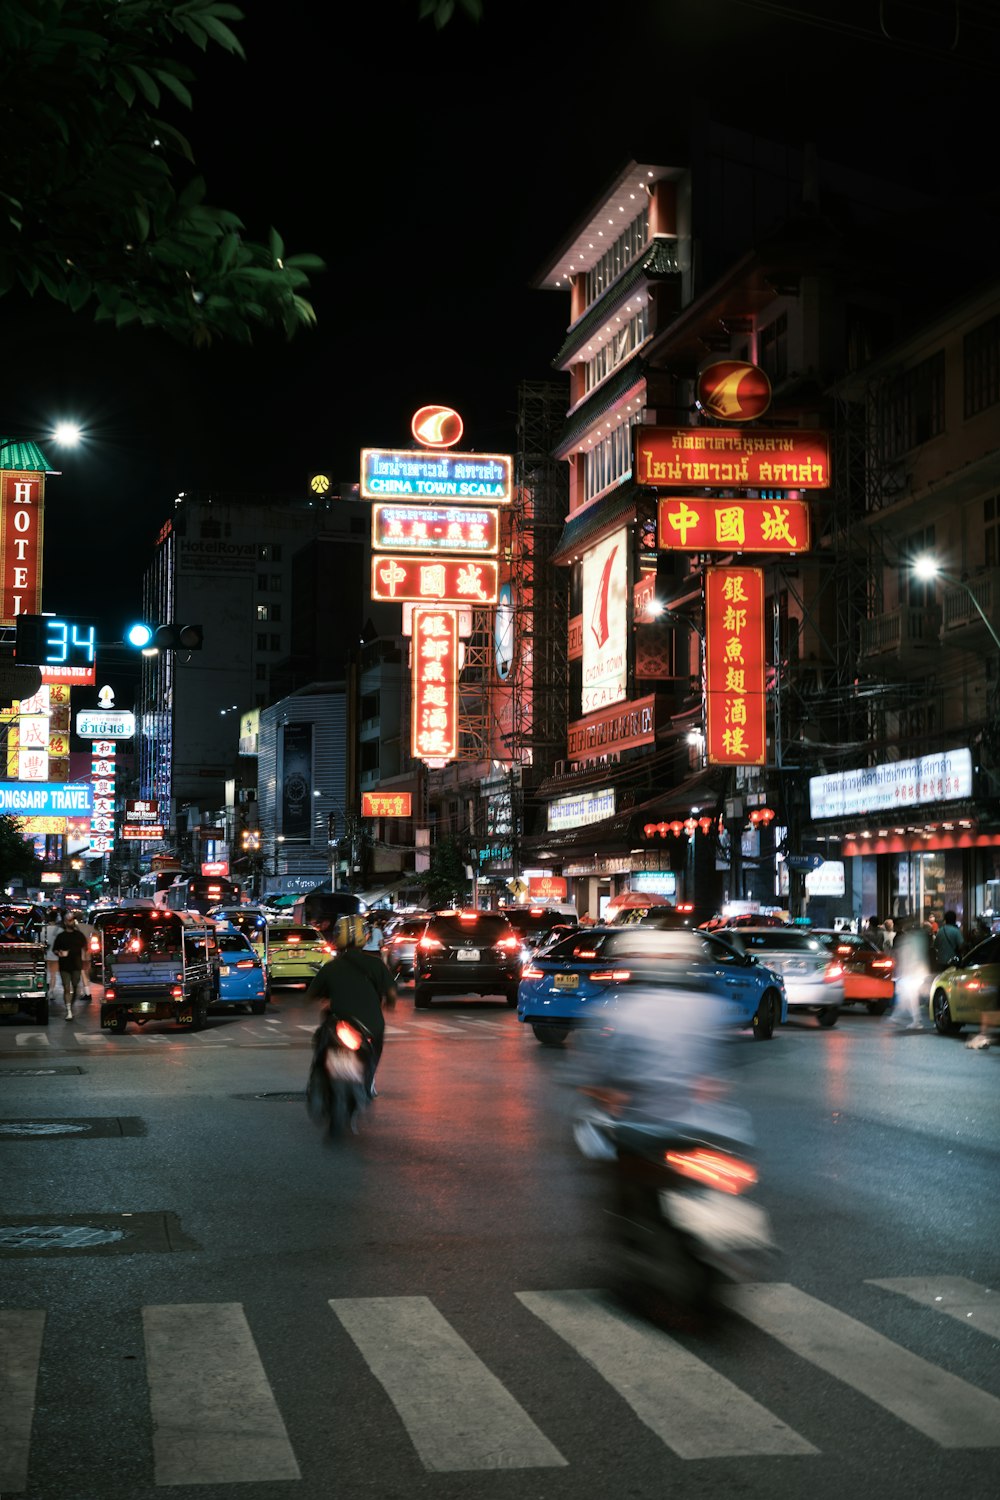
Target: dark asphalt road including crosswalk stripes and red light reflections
(200,1295)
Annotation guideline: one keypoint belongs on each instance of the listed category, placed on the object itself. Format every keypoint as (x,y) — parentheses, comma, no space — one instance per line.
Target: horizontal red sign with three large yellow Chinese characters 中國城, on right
(695,524)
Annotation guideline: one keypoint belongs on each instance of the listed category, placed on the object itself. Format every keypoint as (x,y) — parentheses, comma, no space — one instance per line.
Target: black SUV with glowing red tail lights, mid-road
(467,953)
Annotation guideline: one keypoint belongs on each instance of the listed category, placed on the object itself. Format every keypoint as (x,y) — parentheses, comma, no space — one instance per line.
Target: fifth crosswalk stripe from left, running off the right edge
(938,1405)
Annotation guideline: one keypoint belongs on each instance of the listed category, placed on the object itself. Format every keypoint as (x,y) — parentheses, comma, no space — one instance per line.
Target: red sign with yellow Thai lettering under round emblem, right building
(723,458)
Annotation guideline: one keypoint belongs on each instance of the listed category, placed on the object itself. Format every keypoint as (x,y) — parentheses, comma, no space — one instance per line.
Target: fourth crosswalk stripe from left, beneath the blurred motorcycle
(693,1409)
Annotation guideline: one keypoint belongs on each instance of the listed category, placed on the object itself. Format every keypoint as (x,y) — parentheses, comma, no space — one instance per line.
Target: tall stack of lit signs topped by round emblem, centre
(436,547)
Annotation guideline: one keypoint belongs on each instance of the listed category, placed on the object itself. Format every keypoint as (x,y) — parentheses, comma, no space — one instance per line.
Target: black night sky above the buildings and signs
(434,173)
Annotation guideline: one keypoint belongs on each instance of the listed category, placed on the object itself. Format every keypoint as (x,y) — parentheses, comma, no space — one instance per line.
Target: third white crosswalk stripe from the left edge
(457,1412)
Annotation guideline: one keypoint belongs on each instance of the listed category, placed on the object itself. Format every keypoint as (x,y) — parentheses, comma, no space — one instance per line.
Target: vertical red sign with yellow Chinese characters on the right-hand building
(735,667)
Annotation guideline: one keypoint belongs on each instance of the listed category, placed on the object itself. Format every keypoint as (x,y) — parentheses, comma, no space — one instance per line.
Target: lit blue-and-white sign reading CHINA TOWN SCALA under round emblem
(412,475)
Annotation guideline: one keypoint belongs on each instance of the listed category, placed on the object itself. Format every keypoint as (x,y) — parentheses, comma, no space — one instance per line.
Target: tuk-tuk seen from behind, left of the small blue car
(157,965)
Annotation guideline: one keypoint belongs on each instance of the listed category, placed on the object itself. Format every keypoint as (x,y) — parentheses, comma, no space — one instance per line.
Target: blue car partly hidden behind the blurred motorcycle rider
(581,977)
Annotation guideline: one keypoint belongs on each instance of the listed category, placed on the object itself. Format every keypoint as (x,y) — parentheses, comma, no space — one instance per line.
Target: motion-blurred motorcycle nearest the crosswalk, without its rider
(677,1211)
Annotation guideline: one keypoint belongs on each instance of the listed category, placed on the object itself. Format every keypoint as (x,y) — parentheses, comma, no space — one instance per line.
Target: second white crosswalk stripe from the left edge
(215,1420)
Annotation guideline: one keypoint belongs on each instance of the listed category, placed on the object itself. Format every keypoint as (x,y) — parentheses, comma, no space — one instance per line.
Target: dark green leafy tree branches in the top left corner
(101,205)
